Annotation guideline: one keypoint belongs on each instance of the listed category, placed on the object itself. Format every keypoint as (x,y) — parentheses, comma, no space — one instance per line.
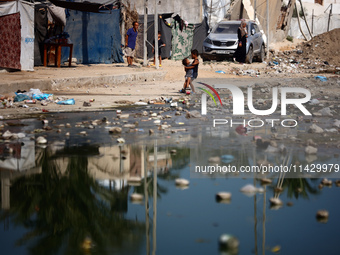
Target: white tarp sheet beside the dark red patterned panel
(26,10)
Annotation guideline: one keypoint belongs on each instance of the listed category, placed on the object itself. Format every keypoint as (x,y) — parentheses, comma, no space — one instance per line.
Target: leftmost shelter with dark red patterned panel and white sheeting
(9,45)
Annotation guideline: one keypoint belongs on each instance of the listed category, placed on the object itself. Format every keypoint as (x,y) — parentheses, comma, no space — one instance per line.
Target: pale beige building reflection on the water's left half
(110,165)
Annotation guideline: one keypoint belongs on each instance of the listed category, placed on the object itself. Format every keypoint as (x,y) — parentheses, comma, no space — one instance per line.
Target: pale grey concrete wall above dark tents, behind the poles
(189,10)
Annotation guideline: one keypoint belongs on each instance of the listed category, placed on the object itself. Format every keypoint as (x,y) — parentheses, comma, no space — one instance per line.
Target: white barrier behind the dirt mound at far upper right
(320,25)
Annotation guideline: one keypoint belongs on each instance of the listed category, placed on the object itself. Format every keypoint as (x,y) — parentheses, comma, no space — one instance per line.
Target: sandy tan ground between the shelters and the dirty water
(107,96)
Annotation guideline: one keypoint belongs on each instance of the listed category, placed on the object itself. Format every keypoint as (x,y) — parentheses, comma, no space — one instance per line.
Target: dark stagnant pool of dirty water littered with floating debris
(77,193)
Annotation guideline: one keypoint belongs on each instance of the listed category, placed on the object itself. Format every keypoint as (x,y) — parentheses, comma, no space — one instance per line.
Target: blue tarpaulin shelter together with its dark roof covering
(94,30)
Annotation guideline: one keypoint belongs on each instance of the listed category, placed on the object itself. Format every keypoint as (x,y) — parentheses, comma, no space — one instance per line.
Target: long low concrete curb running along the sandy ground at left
(55,84)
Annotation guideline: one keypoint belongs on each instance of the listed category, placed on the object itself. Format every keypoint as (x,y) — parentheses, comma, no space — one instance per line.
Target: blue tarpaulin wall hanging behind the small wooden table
(96,37)
